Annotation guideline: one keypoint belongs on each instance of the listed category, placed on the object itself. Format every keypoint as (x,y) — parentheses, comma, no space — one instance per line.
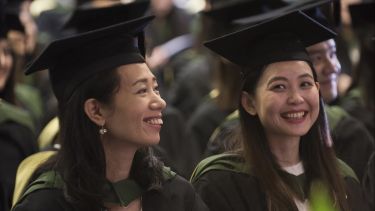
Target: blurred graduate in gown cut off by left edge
(17,138)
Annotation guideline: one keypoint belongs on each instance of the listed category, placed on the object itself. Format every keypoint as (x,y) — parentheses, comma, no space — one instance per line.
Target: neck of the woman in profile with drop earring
(119,159)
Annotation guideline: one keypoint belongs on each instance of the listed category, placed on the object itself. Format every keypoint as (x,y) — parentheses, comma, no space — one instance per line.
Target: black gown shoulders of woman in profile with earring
(176,194)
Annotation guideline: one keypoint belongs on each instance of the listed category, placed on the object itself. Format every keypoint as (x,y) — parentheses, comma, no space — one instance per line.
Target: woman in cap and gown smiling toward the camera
(286,161)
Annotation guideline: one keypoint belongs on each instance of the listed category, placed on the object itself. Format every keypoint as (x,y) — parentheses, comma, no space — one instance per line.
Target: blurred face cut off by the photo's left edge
(5,63)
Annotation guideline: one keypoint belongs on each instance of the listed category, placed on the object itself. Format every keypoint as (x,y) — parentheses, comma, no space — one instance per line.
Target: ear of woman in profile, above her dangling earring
(94,111)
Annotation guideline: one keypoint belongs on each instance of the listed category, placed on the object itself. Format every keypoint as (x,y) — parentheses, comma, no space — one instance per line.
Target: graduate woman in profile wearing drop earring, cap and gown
(110,113)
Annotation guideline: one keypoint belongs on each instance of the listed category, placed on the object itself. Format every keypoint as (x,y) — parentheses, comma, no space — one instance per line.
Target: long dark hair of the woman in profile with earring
(81,159)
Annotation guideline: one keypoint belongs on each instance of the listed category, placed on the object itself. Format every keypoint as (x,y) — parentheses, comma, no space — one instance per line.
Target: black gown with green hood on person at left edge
(17,141)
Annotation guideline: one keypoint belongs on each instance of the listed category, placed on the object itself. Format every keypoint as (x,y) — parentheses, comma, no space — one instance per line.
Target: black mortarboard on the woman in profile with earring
(74,59)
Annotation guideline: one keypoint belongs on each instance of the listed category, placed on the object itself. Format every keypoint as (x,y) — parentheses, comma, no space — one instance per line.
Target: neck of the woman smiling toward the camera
(285,150)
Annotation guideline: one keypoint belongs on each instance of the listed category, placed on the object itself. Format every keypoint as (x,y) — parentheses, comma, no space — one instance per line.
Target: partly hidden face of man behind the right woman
(327,67)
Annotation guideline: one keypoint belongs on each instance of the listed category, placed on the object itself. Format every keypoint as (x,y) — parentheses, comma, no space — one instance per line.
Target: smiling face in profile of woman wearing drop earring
(135,114)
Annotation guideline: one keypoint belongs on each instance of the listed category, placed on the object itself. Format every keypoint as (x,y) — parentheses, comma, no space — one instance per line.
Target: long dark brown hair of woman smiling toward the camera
(318,158)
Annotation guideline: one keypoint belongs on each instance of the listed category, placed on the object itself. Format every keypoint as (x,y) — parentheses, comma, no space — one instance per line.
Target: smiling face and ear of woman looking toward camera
(286,99)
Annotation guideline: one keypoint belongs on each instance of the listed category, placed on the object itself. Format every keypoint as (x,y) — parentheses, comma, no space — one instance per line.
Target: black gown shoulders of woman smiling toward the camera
(231,190)
